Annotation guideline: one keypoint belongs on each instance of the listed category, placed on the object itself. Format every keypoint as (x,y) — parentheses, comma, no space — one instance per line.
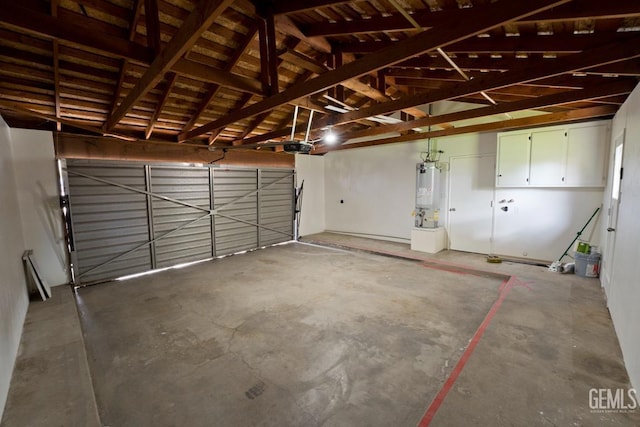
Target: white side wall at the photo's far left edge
(13,291)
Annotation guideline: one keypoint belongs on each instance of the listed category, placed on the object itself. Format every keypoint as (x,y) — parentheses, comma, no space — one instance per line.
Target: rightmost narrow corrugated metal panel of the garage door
(276,206)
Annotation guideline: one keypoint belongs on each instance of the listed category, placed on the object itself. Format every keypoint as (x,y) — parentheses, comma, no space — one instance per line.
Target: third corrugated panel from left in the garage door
(235,196)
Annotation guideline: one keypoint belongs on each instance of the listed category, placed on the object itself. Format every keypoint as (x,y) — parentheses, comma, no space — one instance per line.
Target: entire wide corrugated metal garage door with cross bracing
(130,218)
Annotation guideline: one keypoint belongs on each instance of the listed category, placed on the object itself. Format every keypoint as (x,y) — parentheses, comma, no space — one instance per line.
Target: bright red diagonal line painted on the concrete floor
(505,287)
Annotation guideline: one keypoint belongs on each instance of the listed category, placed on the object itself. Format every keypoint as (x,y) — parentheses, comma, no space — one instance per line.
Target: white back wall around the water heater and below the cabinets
(377,185)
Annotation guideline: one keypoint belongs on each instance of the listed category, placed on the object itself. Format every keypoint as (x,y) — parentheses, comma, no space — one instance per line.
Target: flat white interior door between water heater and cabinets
(471,192)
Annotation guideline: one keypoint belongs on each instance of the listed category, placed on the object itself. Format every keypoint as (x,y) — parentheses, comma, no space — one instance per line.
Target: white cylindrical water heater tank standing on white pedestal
(427,195)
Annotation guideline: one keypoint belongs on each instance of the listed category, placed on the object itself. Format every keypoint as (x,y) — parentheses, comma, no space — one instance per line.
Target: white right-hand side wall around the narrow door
(624,292)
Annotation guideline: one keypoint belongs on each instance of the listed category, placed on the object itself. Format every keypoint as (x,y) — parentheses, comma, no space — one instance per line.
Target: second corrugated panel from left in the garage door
(193,242)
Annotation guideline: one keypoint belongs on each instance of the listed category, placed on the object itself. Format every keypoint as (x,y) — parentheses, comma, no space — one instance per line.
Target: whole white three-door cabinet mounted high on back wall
(560,156)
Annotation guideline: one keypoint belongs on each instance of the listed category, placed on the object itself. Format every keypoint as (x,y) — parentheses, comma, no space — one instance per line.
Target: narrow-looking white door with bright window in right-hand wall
(607,260)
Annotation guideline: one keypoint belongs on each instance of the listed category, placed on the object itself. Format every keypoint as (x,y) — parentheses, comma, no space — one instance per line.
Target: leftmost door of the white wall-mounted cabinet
(513,160)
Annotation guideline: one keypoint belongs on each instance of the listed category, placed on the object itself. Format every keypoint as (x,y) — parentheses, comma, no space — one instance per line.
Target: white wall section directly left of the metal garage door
(38,198)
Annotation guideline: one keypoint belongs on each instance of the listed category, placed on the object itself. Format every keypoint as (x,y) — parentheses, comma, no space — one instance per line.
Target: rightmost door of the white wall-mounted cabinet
(586,156)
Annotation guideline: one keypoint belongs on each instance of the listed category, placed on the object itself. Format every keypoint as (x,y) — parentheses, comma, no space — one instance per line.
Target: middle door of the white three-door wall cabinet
(548,153)
